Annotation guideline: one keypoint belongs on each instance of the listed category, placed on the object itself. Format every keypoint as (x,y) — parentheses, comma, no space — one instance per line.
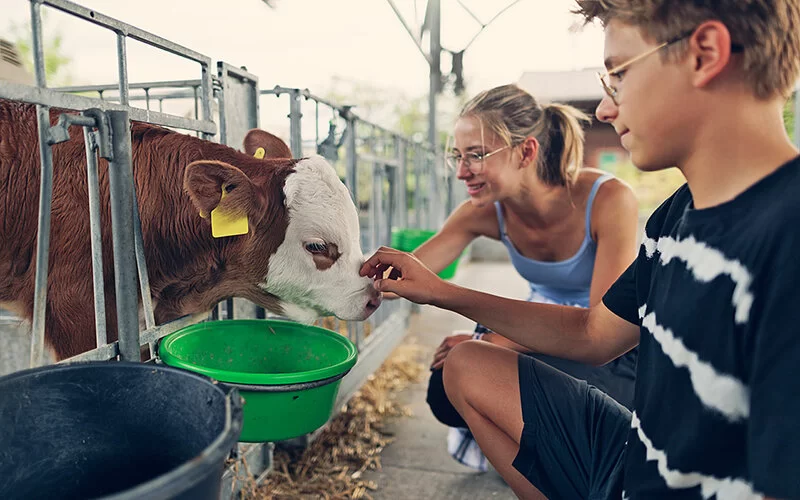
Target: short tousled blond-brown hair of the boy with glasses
(769,31)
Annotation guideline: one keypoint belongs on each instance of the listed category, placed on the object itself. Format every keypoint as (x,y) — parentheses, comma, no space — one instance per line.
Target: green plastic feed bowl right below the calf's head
(287,373)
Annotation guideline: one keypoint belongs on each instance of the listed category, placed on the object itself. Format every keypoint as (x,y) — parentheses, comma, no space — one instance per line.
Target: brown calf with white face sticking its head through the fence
(298,254)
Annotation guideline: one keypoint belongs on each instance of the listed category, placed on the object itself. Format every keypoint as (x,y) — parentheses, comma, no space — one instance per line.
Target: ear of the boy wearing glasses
(710,51)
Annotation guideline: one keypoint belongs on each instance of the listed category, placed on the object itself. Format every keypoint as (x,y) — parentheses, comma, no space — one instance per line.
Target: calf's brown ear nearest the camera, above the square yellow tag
(205,181)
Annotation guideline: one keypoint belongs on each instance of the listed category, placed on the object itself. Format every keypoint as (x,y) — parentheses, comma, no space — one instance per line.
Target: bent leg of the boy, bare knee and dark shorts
(549,435)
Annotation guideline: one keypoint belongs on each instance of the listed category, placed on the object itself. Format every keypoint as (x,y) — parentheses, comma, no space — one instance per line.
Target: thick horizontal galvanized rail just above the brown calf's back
(48,97)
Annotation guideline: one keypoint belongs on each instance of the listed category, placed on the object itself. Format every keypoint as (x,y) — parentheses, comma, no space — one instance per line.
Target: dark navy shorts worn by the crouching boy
(573,439)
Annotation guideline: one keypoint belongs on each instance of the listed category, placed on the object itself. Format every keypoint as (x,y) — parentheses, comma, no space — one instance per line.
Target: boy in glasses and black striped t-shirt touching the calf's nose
(711,298)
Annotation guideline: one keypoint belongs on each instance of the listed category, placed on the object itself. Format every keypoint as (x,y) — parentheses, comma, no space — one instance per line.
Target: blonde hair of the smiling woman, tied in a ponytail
(513,115)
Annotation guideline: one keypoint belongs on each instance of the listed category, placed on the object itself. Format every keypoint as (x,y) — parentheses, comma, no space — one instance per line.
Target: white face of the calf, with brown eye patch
(315,270)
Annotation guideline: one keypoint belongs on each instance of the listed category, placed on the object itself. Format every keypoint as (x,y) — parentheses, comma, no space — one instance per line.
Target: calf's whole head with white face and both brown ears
(299,250)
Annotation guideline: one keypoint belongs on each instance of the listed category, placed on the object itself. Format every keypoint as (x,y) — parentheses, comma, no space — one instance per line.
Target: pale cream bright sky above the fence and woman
(305,43)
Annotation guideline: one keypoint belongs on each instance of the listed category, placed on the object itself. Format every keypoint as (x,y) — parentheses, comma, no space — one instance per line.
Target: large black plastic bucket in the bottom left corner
(115,430)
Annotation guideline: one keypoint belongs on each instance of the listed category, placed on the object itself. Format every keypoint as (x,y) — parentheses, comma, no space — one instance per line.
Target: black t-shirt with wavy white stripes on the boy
(716,293)
